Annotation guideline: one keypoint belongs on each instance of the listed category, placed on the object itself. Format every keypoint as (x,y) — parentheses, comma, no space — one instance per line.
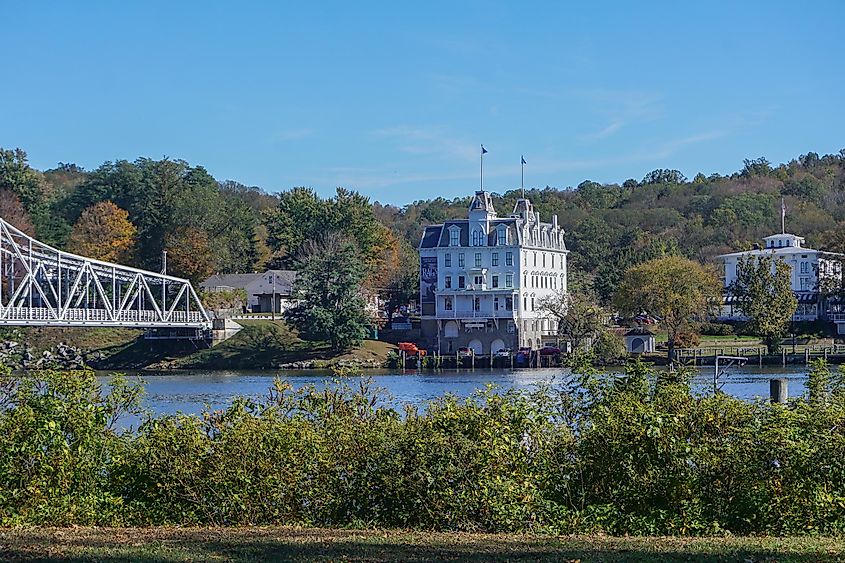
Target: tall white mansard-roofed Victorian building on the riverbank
(482,279)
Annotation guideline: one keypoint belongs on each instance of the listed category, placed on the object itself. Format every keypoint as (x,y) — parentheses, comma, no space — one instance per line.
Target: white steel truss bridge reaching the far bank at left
(43,286)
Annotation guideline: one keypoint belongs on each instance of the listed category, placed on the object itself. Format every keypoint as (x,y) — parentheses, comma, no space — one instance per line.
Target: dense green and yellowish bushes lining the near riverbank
(626,454)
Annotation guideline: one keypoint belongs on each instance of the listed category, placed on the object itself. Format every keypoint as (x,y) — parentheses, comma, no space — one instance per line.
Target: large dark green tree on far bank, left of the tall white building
(328,288)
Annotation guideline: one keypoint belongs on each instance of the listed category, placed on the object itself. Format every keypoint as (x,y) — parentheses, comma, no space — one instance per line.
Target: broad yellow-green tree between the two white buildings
(677,291)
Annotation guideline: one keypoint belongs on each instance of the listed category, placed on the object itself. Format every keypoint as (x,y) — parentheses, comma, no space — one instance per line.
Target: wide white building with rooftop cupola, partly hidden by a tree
(814,274)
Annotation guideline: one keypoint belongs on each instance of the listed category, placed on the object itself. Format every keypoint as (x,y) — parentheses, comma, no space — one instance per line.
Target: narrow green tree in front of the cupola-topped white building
(762,291)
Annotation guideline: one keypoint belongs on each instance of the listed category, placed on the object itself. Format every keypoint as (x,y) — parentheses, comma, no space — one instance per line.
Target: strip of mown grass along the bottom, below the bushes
(305,544)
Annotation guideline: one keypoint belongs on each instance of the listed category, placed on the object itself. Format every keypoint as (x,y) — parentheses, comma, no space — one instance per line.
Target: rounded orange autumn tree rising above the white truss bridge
(103,232)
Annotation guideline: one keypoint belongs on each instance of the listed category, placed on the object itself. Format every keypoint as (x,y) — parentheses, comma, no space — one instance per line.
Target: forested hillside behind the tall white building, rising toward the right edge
(611,227)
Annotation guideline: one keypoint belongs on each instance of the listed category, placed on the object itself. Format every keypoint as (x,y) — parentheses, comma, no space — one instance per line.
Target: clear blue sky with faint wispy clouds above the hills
(393,99)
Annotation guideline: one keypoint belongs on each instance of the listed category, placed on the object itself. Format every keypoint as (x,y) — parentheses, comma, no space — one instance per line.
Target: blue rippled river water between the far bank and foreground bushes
(194,391)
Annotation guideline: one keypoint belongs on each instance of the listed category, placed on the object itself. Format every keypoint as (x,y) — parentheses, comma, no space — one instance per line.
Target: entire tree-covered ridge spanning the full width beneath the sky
(212,226)
